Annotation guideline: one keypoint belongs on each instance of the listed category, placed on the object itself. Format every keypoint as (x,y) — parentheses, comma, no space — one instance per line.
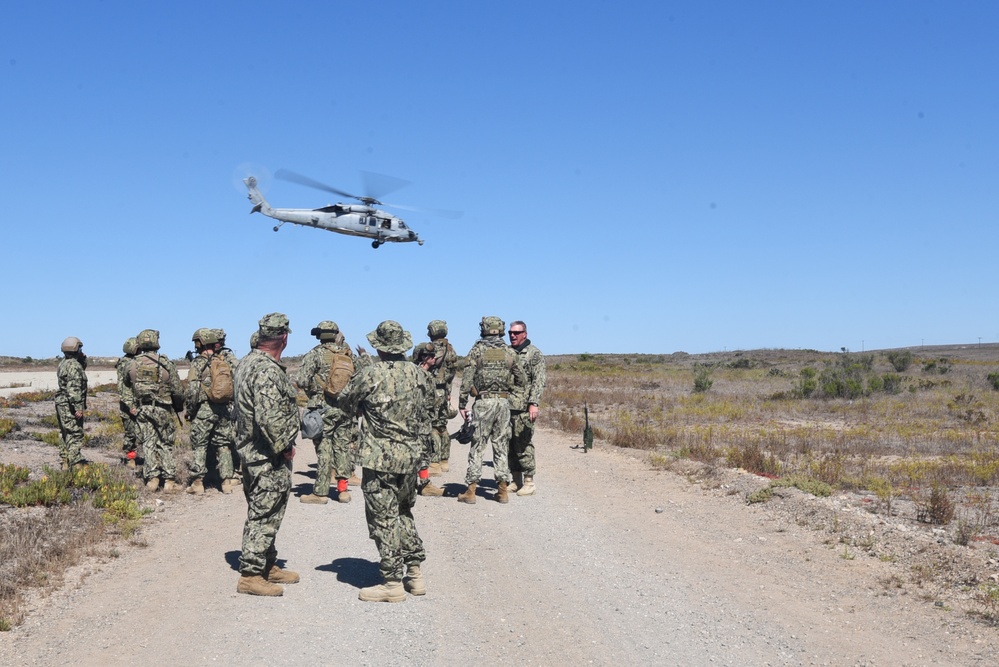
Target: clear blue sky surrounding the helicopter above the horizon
(634,176)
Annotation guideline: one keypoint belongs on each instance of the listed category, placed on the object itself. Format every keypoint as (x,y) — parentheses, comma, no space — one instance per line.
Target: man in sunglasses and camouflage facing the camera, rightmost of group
(524,410)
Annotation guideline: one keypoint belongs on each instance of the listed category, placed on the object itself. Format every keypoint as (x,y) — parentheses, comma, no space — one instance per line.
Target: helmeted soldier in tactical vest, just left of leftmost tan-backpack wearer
(155,398)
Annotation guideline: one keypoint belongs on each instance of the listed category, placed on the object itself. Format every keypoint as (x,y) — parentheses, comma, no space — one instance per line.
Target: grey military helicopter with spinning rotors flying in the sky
(361,219)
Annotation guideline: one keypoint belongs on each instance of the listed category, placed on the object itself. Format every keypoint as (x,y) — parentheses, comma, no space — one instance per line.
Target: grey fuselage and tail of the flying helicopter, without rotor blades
(349,219)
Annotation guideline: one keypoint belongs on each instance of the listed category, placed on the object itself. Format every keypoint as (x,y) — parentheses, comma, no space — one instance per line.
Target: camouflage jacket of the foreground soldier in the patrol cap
(267,419)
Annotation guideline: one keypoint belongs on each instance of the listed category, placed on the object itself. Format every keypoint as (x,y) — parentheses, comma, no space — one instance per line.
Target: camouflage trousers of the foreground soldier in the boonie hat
(388,507)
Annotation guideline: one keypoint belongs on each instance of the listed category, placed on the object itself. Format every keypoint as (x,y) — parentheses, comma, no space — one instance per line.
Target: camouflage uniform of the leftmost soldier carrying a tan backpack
(211,424)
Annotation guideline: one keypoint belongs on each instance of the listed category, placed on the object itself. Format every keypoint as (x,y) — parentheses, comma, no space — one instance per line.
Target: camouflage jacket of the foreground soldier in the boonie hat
(393,399)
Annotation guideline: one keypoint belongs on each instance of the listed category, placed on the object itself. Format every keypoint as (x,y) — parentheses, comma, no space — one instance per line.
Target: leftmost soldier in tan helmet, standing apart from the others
(71,401)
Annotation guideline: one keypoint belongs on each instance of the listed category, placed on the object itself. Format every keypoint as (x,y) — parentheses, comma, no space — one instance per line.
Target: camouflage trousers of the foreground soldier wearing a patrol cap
(266,485)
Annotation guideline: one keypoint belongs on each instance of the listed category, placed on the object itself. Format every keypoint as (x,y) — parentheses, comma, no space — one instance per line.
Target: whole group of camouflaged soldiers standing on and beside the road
(387,414)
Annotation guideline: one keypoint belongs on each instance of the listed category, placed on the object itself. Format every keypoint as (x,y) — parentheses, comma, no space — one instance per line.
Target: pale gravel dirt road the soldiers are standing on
(611,563)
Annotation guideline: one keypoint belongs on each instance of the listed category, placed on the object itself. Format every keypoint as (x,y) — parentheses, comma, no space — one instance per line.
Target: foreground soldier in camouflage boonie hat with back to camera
(392,397)
